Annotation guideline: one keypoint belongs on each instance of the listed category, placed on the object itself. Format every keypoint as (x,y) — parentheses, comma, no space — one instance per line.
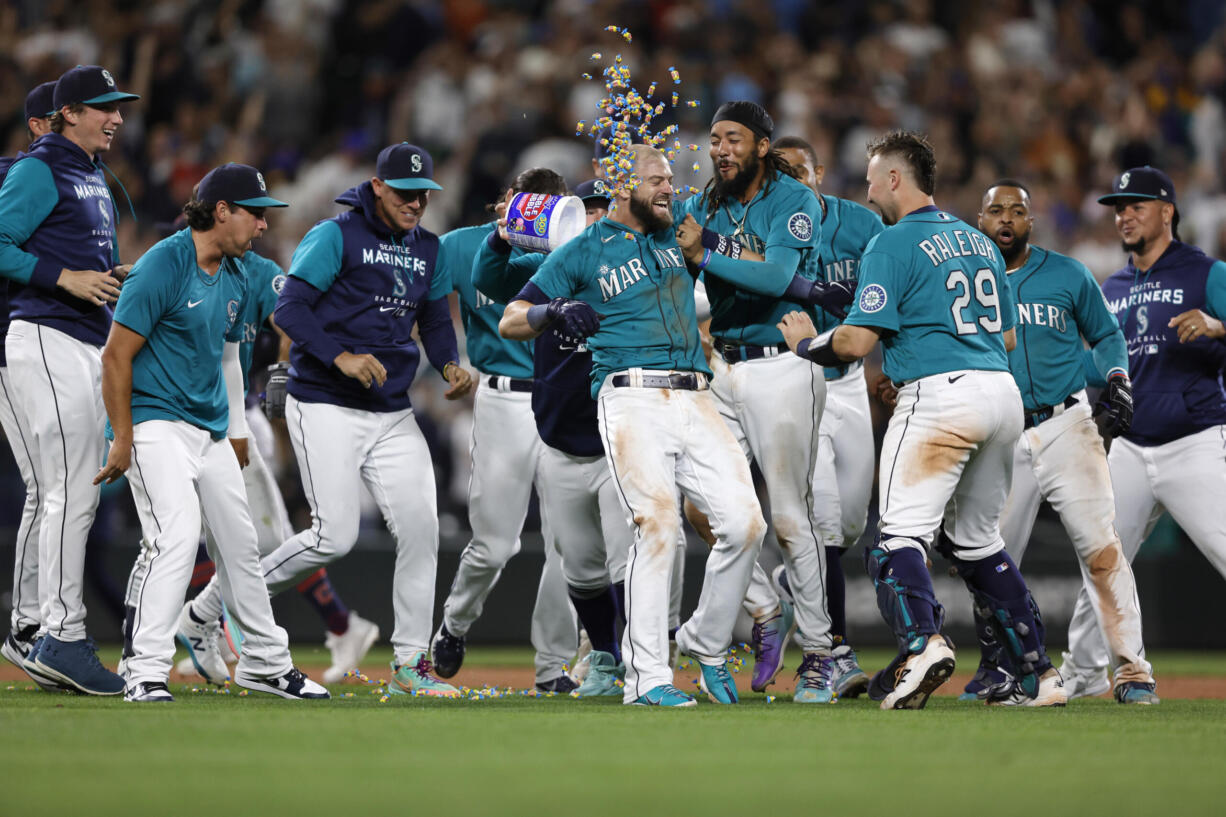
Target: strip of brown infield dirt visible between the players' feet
(522,678)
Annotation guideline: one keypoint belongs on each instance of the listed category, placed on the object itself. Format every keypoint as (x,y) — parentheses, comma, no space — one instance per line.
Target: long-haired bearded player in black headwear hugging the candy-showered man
(771,399)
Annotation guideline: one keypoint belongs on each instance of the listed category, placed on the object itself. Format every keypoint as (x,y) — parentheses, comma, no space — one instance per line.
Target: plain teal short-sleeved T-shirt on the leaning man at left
(187,317)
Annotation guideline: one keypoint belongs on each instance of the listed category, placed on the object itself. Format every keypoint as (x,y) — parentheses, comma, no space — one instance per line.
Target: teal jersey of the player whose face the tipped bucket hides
(487,350)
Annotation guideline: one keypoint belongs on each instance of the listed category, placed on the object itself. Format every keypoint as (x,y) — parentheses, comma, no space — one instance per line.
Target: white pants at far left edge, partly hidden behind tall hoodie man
(25,565)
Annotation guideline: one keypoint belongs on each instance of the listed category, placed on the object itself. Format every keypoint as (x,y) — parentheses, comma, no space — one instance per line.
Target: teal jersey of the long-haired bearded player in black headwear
(786,214)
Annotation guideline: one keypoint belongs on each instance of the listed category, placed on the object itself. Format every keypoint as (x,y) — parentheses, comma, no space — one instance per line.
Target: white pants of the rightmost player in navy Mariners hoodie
(1186,477)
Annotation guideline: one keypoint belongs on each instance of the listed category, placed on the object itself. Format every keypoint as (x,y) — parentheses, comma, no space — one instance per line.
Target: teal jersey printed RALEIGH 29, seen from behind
(939,290)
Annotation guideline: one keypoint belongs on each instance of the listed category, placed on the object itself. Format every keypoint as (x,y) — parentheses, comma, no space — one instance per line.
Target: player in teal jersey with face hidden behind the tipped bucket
(506,450)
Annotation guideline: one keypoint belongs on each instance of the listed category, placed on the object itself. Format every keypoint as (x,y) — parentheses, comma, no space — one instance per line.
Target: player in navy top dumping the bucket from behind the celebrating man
(578,493)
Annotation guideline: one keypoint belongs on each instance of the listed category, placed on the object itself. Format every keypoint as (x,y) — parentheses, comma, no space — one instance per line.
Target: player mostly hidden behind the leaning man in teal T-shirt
(350,637)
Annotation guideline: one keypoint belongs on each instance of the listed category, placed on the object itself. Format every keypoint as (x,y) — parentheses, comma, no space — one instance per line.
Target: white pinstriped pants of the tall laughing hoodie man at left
(57,385)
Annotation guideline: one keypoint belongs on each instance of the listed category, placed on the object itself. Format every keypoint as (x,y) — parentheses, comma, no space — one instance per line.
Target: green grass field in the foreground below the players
(214,755)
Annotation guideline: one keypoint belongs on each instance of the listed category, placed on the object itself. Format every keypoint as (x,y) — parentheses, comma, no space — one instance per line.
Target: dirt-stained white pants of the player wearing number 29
(948,458)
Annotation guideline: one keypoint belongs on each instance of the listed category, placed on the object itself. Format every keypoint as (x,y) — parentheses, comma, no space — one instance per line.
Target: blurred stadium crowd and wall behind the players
(1060,95)
